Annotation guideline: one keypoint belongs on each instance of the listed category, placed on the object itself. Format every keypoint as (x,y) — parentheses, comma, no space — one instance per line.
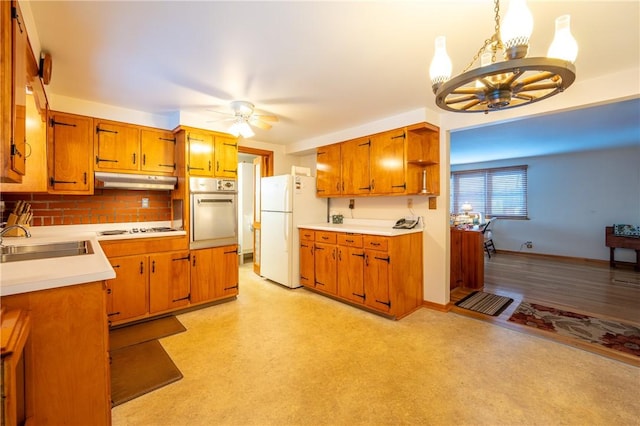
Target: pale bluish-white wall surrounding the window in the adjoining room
(571,198)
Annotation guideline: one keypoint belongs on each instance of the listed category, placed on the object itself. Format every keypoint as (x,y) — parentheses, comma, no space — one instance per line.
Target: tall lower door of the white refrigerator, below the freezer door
(276,247)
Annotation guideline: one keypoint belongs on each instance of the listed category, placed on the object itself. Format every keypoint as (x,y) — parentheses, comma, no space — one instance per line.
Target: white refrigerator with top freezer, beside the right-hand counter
(286,202)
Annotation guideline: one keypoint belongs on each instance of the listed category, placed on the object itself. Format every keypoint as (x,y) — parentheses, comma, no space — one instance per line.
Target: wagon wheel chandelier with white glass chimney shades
(513,82)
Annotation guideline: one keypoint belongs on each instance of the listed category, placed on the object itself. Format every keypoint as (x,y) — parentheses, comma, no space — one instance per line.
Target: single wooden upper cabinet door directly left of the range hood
(69,148)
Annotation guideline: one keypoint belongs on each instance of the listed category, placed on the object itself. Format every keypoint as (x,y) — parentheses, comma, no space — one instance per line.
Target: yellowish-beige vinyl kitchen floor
(277,356)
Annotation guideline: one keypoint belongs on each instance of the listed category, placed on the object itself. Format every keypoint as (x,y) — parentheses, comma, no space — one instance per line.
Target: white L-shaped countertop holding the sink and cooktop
(42,274)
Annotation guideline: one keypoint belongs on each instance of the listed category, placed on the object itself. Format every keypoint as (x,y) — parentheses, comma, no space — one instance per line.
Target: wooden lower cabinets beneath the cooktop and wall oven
(157,276)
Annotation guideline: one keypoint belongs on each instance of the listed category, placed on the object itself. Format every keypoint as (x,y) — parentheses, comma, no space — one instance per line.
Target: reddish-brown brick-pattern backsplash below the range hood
(105,206)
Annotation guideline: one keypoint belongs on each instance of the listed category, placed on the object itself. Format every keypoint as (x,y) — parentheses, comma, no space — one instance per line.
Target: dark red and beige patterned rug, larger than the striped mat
(610,334)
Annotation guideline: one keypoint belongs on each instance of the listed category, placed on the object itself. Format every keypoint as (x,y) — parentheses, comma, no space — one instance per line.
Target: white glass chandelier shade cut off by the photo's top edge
(516,29)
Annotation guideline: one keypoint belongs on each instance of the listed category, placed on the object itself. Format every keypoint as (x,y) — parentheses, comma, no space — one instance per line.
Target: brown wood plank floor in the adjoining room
(584,286)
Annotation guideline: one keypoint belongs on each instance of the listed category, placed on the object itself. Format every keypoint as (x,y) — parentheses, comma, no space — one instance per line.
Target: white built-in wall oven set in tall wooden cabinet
(214,214)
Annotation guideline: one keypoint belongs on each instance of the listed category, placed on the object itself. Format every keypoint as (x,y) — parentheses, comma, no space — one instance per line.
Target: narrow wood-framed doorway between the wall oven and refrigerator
(253,164)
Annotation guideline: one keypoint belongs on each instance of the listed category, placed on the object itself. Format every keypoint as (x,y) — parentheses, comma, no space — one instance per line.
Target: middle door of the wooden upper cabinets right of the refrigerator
(356,175)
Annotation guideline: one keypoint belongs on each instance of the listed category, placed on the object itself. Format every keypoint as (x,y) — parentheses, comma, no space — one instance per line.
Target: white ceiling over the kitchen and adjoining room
(320,66)
